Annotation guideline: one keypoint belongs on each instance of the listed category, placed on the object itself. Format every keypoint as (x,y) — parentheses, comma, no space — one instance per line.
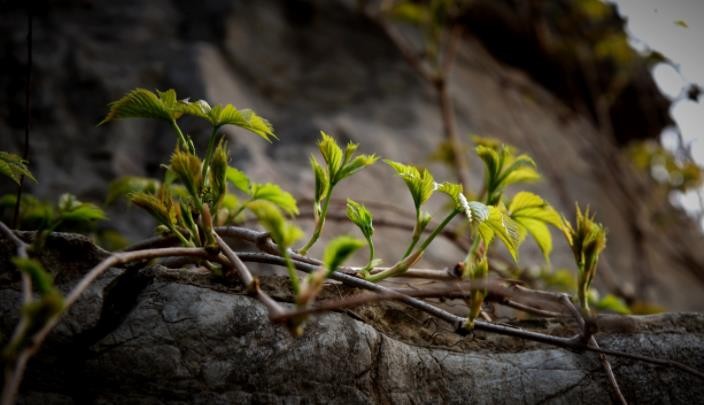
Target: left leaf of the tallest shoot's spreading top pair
(142,103)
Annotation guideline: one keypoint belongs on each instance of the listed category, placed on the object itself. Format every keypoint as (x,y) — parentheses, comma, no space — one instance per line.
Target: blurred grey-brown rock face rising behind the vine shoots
(306,66)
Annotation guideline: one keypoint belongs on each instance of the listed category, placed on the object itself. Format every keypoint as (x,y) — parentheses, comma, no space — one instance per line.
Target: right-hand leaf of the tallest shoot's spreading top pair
(220,115)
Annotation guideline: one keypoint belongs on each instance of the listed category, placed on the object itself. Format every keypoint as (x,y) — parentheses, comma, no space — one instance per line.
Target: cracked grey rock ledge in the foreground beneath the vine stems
(157,335)
